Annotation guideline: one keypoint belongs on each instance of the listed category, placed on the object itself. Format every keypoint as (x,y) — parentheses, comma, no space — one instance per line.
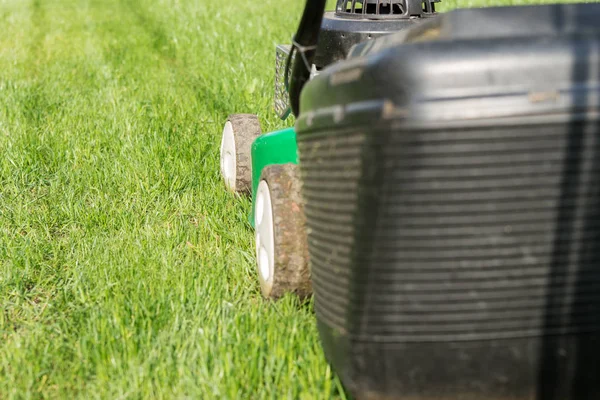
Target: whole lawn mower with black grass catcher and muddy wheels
(443,179)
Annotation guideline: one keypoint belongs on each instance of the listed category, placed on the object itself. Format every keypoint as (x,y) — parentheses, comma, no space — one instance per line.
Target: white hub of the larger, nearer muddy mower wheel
(265,238)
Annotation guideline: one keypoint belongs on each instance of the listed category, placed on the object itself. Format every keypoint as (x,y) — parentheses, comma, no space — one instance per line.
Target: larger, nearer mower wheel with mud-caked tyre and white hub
(281,244)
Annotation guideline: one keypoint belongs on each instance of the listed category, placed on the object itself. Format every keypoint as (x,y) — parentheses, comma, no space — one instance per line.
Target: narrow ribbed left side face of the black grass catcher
(331,170)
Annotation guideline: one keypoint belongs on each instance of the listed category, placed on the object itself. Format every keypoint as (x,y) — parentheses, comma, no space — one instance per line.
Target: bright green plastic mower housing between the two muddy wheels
(273,148)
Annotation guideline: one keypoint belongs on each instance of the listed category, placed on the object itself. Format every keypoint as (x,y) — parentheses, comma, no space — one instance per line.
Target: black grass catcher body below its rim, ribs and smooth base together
(457,264)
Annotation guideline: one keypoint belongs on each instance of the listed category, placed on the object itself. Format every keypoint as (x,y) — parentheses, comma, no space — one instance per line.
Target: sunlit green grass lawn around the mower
(126,271)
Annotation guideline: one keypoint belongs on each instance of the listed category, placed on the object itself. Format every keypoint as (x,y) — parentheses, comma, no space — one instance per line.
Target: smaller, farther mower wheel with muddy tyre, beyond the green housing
(236,144)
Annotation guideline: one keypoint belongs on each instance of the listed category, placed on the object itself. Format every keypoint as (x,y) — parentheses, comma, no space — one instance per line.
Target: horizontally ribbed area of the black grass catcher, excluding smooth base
(472,232)
